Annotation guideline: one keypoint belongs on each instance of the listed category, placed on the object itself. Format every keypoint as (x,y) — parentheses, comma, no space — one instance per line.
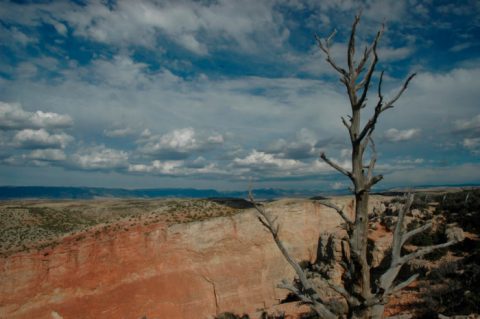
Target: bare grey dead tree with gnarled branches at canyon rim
(364,296)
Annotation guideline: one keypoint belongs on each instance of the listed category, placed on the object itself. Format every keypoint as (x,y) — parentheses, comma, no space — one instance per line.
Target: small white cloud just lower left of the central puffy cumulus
(99,158)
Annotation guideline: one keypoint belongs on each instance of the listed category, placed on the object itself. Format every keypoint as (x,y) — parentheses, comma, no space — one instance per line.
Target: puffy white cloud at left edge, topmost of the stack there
(14,117)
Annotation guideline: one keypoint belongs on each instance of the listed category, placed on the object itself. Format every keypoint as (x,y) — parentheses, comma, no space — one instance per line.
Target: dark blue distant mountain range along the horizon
(47,192)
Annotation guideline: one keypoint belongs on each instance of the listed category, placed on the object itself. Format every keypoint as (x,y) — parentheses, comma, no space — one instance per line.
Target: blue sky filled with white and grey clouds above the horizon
(213,94)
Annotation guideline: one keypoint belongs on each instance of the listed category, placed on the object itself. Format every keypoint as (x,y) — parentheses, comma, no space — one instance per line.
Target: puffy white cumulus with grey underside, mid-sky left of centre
(178,144)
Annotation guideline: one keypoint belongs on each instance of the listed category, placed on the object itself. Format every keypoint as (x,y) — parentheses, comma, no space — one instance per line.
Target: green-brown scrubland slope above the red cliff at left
(38,224)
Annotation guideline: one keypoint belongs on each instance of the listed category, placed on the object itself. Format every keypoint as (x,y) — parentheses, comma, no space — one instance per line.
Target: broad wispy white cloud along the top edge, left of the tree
(194,26)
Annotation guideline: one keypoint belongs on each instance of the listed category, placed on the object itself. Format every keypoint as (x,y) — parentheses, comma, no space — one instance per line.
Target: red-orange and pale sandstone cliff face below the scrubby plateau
(191,270)
